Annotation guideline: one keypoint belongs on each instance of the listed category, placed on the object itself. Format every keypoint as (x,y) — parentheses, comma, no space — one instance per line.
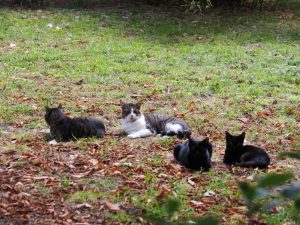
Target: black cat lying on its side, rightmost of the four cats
(244,155)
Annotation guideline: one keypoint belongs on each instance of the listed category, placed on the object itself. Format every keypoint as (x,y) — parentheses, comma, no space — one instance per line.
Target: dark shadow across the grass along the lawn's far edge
(165,26)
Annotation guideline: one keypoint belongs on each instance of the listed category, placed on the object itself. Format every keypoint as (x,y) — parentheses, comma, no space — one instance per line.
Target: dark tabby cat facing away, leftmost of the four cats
(64,128)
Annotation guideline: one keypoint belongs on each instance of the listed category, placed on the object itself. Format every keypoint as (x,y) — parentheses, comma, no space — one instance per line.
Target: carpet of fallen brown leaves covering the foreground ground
(37,179)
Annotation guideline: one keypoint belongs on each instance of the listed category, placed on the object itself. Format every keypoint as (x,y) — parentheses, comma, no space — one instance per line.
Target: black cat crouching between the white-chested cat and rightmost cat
(195,155)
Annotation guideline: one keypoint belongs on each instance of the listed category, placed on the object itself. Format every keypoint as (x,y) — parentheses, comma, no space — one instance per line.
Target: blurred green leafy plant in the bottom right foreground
(263,197)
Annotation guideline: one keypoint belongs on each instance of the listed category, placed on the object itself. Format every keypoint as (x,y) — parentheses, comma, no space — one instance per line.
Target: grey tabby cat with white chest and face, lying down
(137,124)
